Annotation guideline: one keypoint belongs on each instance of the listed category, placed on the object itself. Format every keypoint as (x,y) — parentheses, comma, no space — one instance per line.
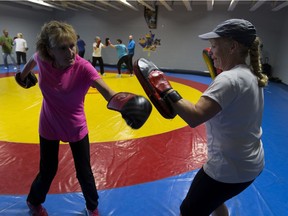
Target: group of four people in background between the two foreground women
(125,53)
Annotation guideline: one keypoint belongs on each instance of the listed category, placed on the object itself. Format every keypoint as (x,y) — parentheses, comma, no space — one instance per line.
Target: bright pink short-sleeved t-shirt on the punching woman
(62,114)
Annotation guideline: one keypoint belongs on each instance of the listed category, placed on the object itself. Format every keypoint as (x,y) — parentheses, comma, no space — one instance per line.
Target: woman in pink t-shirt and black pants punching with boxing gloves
(64,80)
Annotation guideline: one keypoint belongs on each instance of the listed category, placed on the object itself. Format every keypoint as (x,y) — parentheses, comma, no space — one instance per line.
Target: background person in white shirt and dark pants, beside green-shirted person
(20,49)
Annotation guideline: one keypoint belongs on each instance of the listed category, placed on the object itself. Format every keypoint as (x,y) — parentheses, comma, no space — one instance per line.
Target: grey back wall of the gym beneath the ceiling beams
(178,30)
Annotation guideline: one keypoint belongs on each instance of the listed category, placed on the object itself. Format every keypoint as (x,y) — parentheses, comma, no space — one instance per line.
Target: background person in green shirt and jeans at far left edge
(7,44)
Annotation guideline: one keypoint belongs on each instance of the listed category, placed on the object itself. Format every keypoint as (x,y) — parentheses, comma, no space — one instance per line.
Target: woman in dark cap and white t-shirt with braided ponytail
(232,109)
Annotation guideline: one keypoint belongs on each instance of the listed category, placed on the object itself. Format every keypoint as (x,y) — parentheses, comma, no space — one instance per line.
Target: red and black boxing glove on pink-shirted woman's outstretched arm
(134,109)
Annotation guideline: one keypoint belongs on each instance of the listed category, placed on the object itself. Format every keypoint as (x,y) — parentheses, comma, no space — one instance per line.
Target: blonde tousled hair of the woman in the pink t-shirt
(52,34)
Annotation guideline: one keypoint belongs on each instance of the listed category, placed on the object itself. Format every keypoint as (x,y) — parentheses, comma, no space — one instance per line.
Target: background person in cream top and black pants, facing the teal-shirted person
(97,54)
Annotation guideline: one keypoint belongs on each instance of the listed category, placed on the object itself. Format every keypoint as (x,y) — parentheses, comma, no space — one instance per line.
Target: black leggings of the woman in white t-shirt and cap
(206,194)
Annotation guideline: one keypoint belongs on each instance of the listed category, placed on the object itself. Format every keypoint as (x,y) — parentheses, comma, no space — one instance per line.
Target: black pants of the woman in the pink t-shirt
(49,150)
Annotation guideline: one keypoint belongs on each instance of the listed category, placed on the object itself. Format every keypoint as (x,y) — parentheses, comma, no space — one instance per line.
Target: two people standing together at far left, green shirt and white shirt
(7,44)
